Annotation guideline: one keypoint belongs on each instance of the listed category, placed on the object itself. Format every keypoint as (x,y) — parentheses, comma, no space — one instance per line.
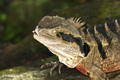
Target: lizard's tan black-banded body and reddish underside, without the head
(104,43)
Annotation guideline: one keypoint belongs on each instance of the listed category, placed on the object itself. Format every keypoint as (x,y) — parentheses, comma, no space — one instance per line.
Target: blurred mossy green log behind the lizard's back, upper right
(93,15)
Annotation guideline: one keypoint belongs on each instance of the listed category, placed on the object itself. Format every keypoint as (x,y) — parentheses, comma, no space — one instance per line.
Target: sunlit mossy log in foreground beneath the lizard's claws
(34,72)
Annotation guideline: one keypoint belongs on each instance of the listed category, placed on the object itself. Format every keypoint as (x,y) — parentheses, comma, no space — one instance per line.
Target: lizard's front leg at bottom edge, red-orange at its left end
(93,72)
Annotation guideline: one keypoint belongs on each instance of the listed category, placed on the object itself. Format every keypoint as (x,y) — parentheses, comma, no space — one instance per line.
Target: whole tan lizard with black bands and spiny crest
(94,51)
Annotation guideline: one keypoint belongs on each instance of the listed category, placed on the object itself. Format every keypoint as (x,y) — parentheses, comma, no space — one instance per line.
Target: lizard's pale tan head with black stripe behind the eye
(61,37)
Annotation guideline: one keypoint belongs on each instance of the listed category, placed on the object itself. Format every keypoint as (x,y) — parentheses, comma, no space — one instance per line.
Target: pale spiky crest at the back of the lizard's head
(77,22)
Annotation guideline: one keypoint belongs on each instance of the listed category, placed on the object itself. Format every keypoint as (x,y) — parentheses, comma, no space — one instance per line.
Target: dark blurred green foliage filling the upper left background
(19,17)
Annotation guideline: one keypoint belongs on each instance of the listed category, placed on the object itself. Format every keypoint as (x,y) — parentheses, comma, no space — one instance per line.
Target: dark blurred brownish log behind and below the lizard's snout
(24,52)
